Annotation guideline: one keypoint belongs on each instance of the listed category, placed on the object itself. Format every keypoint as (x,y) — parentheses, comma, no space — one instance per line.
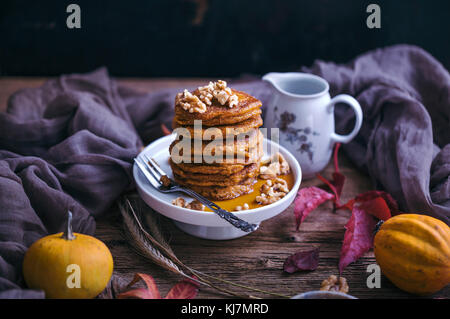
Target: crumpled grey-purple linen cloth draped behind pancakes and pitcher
(70,143)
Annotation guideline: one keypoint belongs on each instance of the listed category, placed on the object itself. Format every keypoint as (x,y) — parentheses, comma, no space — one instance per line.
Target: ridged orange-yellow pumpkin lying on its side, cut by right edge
(413,251)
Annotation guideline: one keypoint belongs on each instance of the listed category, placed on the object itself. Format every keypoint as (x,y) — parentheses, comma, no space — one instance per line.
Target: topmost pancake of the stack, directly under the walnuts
(217,114)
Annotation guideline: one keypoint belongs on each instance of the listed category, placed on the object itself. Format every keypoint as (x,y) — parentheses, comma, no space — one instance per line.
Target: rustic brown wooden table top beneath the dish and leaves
(256,259)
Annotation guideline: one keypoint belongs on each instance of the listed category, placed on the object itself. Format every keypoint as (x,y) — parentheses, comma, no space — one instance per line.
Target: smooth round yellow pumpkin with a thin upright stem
(68,265)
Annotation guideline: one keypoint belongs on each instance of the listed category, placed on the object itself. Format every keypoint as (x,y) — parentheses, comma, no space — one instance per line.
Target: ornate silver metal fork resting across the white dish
(159,179)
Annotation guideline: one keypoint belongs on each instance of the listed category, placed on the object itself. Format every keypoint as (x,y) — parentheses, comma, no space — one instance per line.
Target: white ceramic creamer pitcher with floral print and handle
(303,111)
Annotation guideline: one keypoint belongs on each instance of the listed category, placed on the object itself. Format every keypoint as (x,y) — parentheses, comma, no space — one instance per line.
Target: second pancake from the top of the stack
(243,127)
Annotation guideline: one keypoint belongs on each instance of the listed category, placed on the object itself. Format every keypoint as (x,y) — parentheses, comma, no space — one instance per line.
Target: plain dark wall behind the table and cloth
(208,37)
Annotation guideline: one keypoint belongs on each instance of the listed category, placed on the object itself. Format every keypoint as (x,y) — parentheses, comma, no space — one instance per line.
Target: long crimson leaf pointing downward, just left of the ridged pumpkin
(358,237)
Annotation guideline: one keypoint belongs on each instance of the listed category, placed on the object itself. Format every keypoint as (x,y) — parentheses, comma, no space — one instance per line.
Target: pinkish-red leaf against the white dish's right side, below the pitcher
(308,199)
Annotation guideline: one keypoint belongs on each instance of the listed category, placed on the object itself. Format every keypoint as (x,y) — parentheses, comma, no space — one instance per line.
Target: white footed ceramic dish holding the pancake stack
(205,224)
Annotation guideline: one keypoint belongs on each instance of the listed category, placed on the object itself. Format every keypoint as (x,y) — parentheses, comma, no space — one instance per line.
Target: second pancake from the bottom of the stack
(198,179)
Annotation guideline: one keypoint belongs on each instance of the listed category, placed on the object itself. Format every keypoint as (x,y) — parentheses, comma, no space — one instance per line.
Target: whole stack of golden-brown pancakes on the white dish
(231,165)
